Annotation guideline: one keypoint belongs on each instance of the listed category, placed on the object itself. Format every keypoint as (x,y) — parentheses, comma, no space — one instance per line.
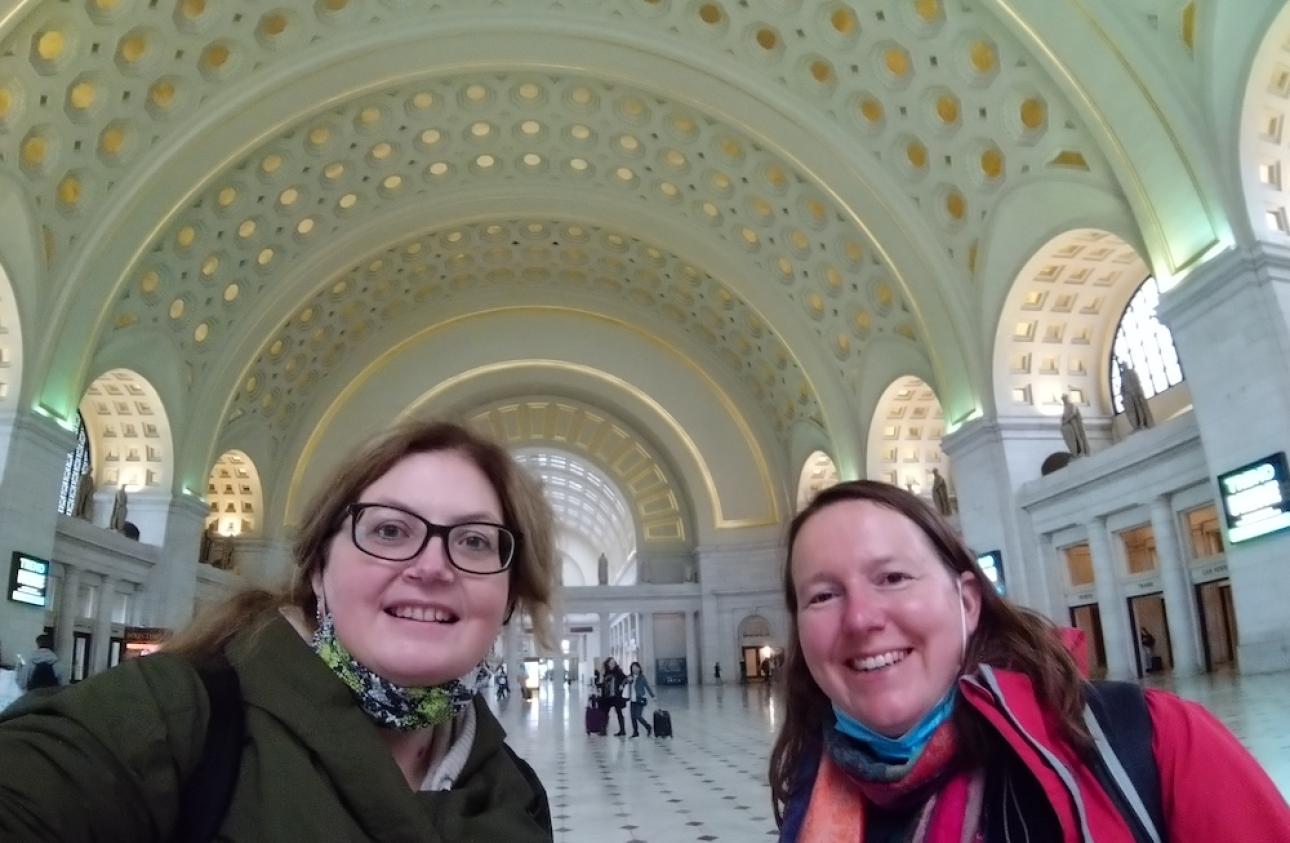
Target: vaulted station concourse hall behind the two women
(691,264)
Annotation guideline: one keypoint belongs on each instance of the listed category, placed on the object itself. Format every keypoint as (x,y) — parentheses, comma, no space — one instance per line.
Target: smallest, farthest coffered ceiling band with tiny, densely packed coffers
(539,259)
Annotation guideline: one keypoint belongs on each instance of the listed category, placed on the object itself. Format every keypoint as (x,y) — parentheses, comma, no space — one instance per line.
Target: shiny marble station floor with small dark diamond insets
(709,782)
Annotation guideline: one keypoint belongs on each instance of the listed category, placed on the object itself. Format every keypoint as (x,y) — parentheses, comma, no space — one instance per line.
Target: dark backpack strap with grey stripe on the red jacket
(1118,718)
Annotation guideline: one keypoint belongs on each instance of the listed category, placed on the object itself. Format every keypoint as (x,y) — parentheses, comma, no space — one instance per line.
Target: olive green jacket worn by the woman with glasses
(105,761)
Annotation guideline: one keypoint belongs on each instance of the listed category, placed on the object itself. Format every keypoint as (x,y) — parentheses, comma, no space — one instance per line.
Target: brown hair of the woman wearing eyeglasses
(532,574)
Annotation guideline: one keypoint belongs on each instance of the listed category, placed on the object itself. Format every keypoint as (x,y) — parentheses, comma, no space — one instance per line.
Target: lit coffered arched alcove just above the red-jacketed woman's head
(905,437)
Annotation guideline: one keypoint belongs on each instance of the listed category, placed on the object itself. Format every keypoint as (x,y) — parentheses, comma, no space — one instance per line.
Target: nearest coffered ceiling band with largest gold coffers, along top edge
(946,94)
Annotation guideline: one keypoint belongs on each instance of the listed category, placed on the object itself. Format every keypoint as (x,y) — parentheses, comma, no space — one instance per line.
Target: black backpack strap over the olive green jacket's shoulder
(210,788)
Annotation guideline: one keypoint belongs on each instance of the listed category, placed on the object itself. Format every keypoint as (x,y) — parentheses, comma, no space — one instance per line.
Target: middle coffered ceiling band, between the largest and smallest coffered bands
(406,147)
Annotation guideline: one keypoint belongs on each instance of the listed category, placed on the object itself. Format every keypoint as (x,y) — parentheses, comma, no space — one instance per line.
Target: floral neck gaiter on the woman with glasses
(392,706)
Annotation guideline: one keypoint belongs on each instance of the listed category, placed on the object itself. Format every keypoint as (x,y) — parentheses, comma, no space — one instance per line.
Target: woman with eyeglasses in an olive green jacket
(340,708)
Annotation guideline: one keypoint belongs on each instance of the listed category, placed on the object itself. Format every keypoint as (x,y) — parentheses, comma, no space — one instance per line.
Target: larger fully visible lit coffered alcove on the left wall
(130,433)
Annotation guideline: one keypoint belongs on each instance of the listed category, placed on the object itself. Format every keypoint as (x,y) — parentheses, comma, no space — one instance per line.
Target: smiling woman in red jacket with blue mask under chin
(922,707)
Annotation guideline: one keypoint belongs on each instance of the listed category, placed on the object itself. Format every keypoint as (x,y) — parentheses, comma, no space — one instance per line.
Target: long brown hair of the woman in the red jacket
(1007,637)
